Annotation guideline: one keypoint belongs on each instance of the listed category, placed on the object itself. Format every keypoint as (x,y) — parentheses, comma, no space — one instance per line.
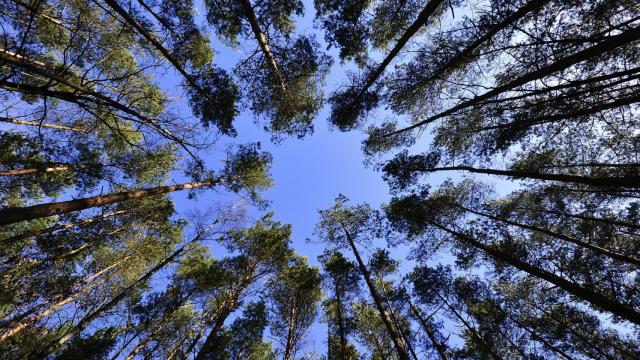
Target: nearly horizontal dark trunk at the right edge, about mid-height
(607,182)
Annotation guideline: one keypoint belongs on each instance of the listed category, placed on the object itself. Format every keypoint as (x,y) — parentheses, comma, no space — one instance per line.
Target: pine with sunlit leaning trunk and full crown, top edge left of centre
(283,84)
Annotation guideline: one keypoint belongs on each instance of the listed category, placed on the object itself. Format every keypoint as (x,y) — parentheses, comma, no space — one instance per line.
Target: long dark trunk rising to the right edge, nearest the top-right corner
(608,44)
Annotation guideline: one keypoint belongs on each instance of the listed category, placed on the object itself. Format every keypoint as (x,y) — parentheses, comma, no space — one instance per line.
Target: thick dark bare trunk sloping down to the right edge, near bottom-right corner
(621,310)
